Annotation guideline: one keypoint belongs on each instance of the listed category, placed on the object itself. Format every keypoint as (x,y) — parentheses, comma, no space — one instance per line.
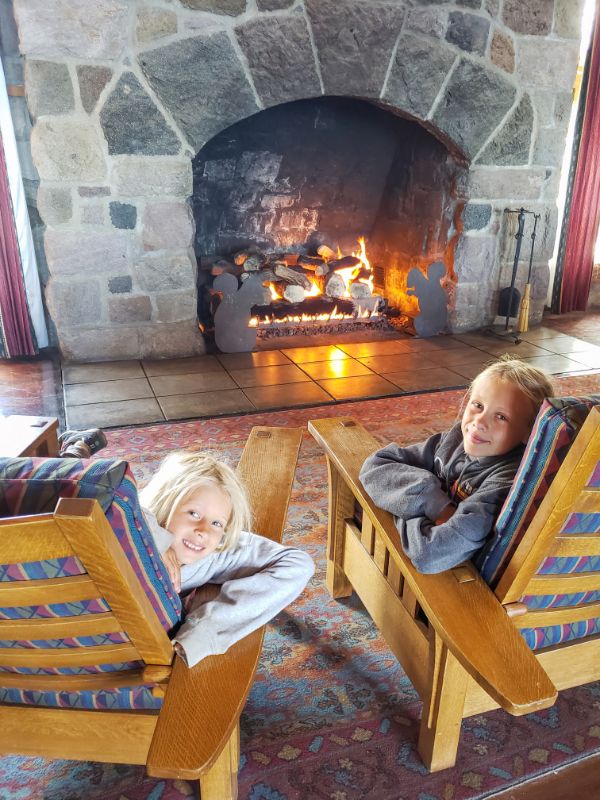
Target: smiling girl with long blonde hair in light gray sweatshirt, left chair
(197,511)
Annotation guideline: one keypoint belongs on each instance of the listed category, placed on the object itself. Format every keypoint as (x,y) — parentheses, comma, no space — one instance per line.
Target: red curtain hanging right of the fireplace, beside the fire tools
(585,204)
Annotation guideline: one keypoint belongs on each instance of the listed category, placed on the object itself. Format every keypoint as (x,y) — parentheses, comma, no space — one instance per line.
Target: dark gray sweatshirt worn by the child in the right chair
(417,482)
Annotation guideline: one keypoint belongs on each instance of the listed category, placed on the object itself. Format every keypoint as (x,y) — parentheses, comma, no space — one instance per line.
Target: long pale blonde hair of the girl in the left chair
(180,474)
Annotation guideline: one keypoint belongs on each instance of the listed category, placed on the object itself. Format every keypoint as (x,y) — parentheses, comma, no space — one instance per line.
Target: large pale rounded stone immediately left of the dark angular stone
(67,149)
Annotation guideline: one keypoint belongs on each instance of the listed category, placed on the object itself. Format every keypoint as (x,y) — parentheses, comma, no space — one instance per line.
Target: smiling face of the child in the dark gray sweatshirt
(498,416)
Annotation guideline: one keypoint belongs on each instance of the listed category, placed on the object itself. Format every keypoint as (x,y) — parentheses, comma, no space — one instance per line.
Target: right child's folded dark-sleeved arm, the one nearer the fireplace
(400,480)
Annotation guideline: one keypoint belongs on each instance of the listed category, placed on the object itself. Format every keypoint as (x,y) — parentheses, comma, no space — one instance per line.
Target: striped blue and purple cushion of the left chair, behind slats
(30,486)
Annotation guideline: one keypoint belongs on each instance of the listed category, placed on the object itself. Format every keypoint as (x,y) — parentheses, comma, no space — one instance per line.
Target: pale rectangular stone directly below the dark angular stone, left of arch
(143,177)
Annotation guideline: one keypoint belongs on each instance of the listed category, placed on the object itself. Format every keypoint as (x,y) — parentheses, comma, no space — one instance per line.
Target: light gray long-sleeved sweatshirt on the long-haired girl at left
(258,579)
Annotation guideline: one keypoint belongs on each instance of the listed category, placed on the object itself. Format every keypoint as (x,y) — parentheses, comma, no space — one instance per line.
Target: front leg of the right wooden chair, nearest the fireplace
(341,506)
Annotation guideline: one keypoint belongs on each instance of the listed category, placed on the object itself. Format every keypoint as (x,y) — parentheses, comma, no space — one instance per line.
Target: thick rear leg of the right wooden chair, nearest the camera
(443,709)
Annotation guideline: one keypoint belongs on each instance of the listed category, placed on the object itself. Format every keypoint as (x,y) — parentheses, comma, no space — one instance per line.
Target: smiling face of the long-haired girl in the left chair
(198,523)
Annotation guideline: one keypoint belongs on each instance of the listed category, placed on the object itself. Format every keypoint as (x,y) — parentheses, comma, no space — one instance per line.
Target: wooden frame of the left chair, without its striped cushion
(194,735)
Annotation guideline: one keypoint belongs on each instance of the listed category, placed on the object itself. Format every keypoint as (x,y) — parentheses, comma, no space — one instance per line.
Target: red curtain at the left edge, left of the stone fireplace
(15,328)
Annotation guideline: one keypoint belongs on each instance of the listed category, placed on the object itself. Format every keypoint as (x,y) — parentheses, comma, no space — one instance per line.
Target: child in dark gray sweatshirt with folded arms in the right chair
(445,493)
